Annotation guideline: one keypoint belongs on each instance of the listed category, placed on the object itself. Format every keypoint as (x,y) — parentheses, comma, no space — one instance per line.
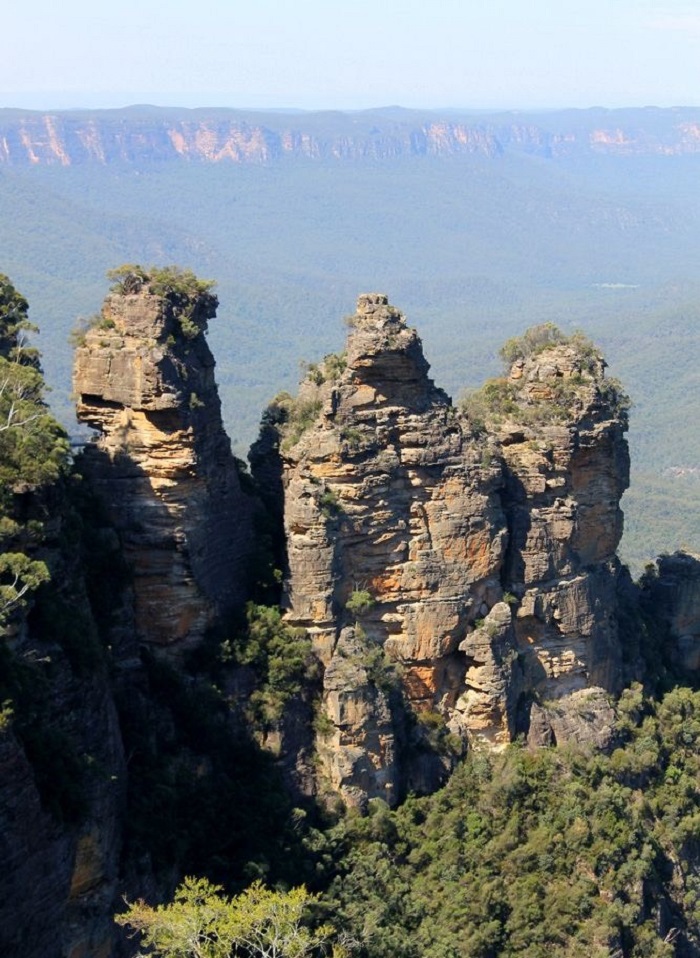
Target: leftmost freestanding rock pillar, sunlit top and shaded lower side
(144,379)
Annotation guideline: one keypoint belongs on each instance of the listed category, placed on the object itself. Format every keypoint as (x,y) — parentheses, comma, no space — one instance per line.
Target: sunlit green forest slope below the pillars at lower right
(548,853)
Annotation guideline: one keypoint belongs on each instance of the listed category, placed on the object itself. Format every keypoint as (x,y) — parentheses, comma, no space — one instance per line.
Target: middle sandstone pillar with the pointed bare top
(394,536)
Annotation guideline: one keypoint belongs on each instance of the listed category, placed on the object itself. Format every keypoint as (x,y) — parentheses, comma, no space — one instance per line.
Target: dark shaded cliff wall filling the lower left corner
(62,763)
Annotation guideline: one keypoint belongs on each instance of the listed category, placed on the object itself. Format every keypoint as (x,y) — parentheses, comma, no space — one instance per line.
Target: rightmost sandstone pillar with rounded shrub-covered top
(560,424)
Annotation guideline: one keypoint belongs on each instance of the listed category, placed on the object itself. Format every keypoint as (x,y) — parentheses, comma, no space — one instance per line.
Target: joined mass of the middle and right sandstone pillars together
(407,524)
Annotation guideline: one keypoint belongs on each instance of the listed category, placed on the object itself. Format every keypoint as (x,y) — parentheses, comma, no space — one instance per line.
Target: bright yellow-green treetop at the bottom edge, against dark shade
(201,922)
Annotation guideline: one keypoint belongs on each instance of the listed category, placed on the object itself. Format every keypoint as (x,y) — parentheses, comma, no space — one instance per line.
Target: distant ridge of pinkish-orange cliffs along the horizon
(150,134)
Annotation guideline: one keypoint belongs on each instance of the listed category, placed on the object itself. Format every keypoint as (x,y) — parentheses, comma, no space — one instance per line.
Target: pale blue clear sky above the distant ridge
(333,54)
